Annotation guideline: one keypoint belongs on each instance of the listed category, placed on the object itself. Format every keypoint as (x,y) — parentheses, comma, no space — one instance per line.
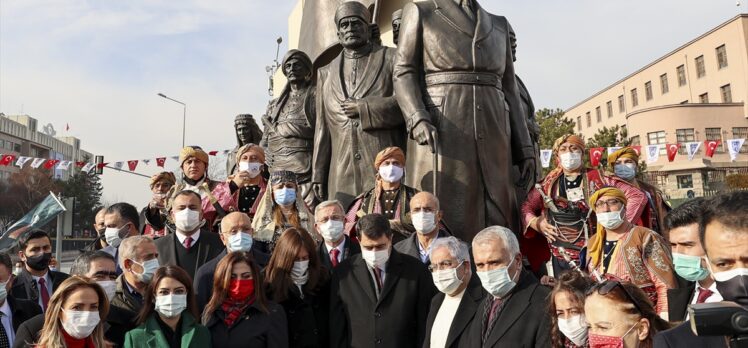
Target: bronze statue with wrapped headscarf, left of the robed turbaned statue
(289,123)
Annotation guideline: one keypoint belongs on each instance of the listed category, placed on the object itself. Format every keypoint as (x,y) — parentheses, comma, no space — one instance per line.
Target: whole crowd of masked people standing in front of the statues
(602,262)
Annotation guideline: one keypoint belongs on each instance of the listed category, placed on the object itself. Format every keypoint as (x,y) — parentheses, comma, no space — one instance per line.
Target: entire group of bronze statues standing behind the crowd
(447,95)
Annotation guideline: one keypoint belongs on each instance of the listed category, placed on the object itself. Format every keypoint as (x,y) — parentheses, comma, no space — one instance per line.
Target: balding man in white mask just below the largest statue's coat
(425,215)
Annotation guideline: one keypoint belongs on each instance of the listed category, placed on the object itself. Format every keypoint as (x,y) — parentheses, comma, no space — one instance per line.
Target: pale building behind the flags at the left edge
(20,135)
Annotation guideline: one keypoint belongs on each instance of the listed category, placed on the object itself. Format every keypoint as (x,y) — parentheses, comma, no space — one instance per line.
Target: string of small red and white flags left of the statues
(53,164)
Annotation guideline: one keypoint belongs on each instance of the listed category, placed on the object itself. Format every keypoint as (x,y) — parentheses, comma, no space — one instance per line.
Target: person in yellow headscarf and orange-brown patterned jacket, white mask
(623,251)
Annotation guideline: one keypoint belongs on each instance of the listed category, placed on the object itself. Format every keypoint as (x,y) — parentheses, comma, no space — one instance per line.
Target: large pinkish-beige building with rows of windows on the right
(695,93)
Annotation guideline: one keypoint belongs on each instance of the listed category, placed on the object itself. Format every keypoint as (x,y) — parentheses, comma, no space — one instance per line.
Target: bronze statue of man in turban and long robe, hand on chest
(357,115)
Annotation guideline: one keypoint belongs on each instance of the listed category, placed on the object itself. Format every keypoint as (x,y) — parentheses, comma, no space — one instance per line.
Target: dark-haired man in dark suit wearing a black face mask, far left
(36,282)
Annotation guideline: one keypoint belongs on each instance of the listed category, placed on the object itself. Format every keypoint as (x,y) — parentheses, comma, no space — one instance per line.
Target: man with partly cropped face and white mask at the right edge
(724,236)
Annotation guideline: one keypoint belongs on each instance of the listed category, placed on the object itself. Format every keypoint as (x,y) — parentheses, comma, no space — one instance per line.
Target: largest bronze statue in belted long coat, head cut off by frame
(454,78)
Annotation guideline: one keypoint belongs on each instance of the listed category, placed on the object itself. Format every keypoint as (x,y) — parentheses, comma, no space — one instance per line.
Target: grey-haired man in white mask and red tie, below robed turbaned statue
(329,221)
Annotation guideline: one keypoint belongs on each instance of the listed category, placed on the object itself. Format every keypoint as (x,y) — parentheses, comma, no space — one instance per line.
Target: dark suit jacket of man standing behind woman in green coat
(209,246)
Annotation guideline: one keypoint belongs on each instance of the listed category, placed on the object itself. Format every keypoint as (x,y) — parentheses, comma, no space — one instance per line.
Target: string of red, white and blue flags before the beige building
(652,154)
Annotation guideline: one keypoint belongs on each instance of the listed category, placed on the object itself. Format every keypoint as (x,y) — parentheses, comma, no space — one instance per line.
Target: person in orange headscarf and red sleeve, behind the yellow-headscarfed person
(624,163)
